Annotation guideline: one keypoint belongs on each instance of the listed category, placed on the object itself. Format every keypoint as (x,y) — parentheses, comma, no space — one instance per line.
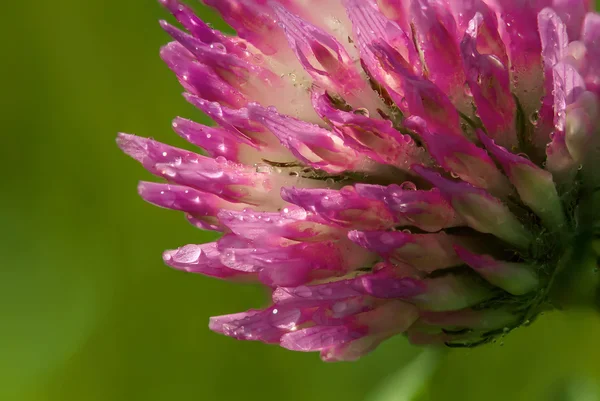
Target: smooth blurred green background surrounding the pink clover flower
(87,309)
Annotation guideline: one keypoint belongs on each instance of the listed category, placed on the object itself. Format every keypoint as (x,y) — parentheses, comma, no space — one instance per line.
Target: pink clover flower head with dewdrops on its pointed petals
(371,159)
